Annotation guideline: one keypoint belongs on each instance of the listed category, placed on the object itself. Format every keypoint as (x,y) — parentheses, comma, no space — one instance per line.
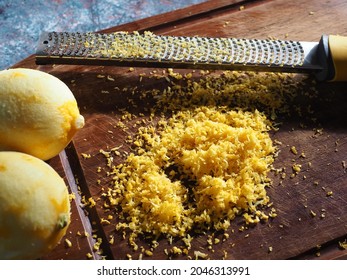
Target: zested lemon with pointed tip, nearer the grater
(38,113)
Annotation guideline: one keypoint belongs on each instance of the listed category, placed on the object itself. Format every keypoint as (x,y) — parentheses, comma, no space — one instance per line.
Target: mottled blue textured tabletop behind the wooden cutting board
(21,22)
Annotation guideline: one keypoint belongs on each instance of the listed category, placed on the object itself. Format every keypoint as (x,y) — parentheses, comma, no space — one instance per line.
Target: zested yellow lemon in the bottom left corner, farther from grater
(34,206)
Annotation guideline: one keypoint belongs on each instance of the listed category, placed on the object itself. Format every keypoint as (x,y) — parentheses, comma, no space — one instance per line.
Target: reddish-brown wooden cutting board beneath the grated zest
(296,232)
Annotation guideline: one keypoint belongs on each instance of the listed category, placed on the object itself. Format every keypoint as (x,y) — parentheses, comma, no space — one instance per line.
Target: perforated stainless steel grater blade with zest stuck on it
(149,50)
